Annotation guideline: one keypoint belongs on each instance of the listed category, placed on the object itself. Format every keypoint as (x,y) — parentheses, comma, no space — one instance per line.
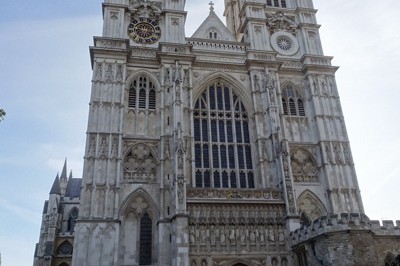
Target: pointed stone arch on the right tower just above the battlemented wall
(310,207)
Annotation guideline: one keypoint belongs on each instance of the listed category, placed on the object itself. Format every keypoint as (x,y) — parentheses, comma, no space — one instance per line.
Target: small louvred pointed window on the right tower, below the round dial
(292,102)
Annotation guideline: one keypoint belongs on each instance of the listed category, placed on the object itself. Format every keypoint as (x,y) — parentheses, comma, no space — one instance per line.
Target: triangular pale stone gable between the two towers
(213,24)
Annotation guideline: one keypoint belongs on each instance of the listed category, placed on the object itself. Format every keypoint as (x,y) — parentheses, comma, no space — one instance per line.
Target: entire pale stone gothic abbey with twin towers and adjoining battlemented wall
(228,148)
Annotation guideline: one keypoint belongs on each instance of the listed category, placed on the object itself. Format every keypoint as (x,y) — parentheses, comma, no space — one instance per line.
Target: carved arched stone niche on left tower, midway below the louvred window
(140,164)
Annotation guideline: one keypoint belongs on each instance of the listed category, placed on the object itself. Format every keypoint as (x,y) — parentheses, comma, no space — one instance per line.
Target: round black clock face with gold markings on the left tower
(144,31)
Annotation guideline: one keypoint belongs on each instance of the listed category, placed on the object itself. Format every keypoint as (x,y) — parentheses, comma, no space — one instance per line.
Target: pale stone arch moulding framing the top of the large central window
(232,82)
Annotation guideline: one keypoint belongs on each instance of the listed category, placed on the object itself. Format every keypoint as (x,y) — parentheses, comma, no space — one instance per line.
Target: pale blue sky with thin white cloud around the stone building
(45,86)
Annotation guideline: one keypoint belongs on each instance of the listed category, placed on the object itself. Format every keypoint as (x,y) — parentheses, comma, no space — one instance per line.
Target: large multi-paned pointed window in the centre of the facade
(223,157)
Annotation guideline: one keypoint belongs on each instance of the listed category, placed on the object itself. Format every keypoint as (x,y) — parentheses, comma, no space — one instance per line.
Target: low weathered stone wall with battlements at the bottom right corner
(346,240)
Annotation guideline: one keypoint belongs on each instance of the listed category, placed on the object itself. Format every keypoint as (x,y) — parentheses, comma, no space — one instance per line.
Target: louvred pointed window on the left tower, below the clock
(142,94)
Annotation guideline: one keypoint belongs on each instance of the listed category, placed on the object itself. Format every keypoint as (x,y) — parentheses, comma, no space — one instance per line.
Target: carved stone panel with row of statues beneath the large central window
(227,228)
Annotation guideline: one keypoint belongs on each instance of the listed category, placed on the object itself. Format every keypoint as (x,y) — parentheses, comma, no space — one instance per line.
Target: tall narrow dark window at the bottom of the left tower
(145,240)
